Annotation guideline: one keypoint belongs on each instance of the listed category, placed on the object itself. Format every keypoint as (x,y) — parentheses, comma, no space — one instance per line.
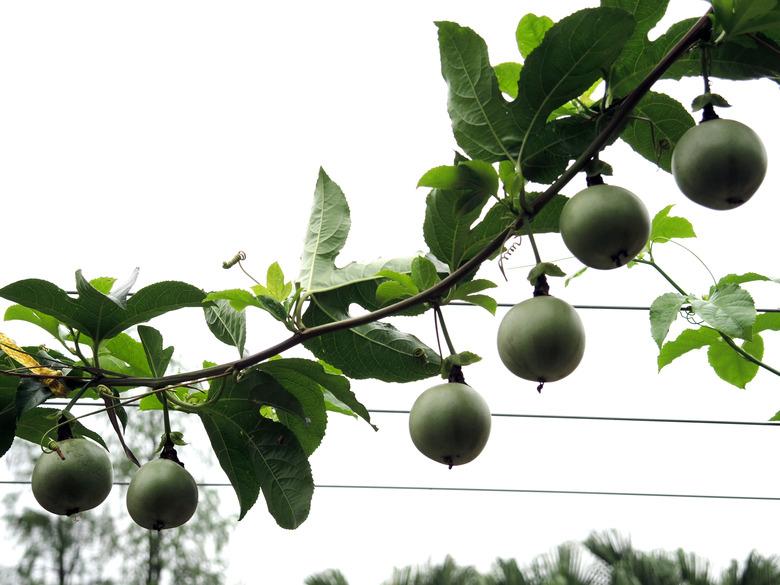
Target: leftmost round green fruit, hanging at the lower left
(80,482)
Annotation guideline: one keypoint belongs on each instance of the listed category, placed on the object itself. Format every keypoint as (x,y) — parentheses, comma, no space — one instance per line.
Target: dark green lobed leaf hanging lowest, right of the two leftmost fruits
(257,453)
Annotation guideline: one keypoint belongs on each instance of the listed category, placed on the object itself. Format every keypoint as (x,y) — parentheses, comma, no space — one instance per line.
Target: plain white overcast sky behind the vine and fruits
(169,135)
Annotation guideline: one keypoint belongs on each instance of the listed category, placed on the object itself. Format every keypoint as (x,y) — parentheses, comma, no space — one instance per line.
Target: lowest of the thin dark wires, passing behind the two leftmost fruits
(492,490)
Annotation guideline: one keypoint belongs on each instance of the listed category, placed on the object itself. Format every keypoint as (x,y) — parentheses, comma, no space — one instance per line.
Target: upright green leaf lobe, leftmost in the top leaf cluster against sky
(481,119)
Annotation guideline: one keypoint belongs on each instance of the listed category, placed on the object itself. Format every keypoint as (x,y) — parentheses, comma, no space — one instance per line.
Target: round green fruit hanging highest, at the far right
(719,164)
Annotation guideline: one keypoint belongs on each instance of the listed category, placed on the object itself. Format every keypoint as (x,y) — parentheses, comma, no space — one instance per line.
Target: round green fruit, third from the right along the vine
(541,339)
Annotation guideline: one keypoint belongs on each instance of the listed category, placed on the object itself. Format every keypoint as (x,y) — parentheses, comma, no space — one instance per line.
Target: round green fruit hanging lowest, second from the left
(162,494)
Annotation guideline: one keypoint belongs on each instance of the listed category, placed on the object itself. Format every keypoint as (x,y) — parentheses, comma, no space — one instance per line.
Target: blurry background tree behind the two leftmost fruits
(59,550)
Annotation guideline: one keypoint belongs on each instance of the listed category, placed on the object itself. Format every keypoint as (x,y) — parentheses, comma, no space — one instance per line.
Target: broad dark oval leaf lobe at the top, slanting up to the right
(572,57)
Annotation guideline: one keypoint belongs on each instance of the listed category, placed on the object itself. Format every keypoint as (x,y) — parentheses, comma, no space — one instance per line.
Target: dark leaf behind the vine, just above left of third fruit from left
(377,350)
